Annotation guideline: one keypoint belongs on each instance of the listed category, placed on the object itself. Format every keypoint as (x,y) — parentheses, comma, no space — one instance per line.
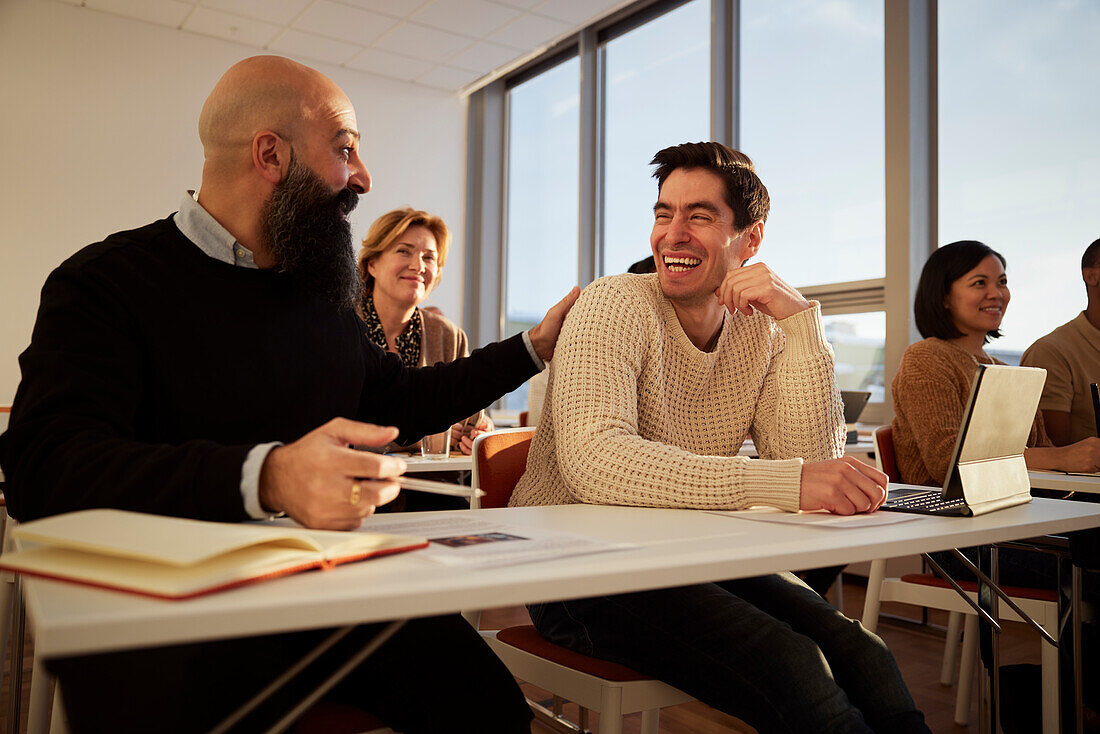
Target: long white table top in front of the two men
(678,547)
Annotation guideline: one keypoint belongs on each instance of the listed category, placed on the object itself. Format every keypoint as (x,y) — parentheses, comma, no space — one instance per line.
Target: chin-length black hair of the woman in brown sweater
(944,267)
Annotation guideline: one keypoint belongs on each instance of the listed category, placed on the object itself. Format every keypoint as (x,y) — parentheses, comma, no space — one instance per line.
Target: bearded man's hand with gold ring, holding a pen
(322,483)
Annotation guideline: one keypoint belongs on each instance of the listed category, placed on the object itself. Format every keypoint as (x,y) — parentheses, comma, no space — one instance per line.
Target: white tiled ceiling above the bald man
(445,45)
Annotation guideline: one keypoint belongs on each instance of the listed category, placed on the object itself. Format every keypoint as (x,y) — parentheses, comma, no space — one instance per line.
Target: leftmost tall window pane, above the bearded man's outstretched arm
(544,166)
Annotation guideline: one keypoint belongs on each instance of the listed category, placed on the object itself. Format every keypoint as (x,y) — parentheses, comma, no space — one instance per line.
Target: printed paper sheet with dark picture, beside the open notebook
(477,543)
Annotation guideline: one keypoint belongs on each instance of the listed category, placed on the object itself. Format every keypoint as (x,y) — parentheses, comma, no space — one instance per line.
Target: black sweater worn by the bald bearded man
(153,370)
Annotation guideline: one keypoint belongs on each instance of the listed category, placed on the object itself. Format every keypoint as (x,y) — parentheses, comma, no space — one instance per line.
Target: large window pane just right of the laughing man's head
(811,119)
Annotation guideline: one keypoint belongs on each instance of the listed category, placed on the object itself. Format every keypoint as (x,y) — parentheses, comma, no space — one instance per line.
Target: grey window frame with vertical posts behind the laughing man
(911,157)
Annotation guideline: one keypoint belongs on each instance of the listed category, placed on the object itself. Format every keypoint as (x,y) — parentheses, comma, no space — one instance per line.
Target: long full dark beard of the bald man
(310,237)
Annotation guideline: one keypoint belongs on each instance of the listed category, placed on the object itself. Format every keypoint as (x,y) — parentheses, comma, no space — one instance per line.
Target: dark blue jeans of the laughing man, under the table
(769,651)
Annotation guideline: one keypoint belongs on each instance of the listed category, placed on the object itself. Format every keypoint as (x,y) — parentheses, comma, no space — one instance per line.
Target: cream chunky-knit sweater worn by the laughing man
(636,415)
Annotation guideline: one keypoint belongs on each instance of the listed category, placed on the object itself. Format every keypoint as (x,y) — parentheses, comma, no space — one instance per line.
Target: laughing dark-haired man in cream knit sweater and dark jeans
(656,382)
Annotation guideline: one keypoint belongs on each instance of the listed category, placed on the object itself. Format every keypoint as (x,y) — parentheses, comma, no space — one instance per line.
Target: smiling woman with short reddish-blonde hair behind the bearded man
(400,266)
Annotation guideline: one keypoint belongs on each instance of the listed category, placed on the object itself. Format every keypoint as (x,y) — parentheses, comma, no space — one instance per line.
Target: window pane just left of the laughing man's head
(653,101)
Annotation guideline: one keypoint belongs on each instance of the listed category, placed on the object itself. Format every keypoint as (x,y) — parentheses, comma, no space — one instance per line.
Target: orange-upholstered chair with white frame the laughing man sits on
(608,688)
